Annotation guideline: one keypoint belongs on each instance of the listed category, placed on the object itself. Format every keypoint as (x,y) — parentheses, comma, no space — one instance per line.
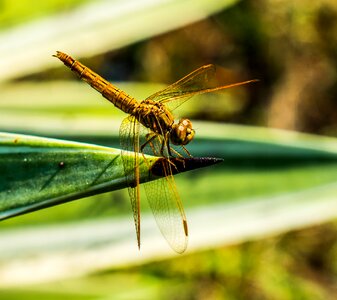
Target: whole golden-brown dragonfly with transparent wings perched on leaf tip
(150,127)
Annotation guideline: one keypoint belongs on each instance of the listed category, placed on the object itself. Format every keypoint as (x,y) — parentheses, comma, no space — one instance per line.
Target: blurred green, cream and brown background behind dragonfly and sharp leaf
(262,223)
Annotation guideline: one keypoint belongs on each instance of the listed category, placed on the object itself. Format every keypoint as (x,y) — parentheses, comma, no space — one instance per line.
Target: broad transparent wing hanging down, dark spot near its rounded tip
(168,210)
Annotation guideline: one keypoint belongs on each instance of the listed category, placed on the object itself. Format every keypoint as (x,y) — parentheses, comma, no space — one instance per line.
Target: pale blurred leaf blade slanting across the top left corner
(124,22)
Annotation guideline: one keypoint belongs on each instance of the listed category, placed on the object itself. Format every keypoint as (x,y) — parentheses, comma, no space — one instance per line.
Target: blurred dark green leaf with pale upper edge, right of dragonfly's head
(263,147)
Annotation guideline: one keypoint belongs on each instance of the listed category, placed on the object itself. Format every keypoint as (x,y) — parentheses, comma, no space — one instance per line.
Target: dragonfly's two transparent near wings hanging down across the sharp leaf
(161,194)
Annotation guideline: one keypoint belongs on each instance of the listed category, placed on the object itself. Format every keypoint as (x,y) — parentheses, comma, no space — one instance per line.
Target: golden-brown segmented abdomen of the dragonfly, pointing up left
(116,96)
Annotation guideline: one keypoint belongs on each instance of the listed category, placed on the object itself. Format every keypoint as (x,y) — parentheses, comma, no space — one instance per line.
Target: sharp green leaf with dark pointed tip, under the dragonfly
(41,172)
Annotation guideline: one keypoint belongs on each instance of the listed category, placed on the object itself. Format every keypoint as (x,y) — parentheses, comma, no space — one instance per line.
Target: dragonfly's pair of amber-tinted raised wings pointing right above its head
(202,80)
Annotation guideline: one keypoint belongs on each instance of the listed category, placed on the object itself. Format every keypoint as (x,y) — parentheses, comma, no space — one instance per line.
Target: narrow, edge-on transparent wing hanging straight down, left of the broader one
(129,140)
